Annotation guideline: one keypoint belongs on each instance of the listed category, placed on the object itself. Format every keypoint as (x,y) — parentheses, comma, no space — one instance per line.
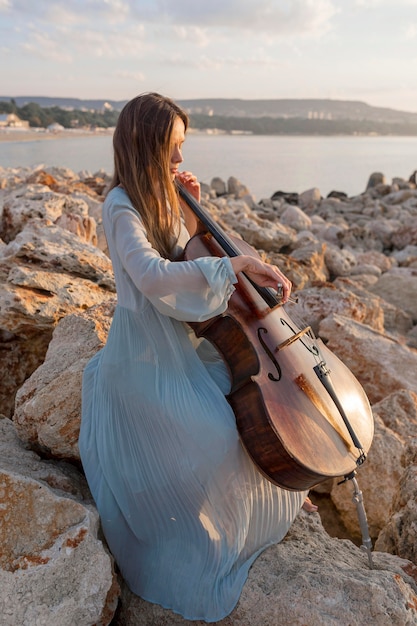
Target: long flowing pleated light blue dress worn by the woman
(183,509)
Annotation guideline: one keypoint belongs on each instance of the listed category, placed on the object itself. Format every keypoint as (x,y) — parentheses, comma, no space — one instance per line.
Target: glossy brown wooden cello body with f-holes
(301,414)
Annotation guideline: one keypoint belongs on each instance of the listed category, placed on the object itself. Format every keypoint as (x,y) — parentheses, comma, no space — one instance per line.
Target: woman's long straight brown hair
(142,152)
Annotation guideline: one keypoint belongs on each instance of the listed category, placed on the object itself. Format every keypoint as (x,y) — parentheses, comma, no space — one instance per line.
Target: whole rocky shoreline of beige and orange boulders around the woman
(353,263)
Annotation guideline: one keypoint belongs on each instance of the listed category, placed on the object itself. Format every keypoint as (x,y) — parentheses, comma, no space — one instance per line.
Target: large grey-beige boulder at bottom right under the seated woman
(306,580)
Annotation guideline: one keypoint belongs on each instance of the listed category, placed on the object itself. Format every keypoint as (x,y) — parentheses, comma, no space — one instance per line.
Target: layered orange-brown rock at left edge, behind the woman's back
(46,272)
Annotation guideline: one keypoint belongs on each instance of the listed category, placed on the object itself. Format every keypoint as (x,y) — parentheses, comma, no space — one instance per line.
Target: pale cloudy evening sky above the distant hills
(250,49)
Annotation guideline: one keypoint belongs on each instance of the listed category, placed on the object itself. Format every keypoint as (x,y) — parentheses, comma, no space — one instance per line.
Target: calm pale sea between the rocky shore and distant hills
(265,164)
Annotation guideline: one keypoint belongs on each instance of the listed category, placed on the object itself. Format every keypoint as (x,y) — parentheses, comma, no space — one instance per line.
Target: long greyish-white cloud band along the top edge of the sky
(301,17)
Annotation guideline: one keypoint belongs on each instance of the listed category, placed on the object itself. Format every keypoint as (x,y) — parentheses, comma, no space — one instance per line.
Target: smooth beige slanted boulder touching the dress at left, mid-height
(48,404)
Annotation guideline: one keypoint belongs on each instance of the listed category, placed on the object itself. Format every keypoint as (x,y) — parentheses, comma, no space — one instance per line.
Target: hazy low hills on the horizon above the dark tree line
(318,109)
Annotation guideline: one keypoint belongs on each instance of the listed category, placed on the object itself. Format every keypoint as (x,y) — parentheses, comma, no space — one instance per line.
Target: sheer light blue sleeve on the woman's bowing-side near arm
(193,290)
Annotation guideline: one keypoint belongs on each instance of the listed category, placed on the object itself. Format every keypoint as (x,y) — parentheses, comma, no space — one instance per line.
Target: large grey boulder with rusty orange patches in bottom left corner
(53,567)
